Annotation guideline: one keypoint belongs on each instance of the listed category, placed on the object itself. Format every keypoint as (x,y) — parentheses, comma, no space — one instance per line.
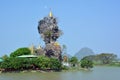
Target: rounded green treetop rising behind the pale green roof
(20,51)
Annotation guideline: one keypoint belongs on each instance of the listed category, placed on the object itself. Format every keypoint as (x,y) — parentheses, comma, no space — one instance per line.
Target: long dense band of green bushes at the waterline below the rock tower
(44,63)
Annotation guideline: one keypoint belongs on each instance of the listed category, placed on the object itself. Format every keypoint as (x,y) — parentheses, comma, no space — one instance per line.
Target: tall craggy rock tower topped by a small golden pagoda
(50,32)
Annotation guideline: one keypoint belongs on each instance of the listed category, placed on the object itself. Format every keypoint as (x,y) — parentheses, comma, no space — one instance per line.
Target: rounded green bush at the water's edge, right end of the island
(85,63)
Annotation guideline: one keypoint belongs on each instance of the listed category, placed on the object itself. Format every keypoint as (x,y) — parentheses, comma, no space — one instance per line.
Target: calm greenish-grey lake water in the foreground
(98,73)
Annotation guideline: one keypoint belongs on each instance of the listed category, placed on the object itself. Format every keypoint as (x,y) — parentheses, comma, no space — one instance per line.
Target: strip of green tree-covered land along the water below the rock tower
(22,60)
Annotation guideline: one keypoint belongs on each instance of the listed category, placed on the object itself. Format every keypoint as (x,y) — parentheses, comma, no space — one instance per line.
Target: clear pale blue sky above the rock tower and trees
(85,23)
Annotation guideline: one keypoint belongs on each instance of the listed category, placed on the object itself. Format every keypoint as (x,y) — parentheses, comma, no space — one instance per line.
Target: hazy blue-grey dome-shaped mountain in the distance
(84,52)
